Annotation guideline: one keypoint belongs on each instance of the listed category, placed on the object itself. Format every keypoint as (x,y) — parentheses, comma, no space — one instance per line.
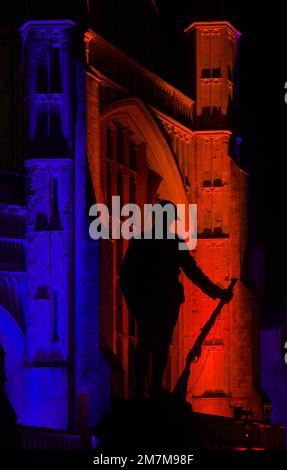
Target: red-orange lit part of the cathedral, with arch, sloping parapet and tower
(145,140)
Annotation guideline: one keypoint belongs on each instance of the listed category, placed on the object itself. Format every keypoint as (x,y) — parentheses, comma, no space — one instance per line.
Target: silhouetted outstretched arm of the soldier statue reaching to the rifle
(197,276)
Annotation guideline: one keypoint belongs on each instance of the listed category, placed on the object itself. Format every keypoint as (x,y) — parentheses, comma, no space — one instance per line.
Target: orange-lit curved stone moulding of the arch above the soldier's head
(137,116)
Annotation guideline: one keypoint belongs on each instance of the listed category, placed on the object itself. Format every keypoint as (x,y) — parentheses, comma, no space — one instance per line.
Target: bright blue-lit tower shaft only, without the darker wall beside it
(48,115)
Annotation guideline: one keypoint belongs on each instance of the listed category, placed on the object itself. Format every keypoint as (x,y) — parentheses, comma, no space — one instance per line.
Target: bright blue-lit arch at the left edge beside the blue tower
(13,342)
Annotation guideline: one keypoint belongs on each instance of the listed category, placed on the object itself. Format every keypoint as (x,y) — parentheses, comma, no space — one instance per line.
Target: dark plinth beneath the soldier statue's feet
(150,424)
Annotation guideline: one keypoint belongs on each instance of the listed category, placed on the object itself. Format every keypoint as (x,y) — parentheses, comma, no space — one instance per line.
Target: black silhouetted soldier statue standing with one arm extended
(153,293)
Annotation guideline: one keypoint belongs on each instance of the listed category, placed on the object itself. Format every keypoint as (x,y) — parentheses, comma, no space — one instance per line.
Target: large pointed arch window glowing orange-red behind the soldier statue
(134,117)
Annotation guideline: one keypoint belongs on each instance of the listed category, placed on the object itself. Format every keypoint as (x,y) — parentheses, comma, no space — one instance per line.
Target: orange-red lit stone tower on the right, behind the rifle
(225,376)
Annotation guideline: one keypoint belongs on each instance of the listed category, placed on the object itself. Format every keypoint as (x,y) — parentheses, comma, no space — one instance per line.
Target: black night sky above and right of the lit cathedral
(157,41)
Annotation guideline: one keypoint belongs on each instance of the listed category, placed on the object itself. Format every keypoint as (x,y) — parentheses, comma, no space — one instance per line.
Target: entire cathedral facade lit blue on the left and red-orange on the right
(97,124)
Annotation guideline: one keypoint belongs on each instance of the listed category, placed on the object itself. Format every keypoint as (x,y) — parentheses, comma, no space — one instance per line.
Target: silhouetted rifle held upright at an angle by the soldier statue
(180,389)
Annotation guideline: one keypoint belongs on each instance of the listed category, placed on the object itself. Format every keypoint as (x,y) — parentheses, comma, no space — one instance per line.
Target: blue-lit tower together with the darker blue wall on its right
(62,374)
